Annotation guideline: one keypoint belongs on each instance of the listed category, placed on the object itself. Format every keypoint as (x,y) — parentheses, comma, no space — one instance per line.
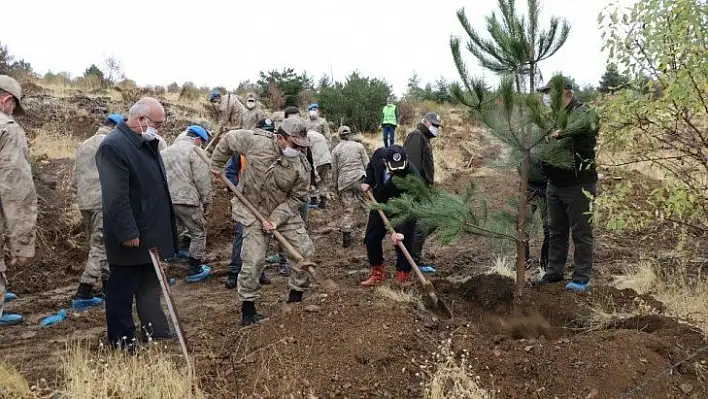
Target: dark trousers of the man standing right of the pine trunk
(568,209)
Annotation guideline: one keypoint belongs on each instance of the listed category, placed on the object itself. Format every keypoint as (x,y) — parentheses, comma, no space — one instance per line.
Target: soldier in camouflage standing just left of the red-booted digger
(349,160)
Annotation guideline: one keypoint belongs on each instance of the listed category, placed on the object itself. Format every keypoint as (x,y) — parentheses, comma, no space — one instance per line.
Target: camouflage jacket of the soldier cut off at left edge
(18,198)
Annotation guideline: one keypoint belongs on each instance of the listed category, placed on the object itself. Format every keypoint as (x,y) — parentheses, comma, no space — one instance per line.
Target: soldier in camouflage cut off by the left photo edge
(18,198)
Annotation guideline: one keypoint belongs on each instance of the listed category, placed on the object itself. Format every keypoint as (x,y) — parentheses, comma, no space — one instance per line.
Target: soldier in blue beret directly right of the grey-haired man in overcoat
(189,181)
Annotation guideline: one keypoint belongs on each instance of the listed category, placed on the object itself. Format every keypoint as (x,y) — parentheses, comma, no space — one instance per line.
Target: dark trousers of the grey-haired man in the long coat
(141,283)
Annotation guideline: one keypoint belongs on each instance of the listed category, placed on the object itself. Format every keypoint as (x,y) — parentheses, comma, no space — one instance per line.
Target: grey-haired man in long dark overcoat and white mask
(137,216)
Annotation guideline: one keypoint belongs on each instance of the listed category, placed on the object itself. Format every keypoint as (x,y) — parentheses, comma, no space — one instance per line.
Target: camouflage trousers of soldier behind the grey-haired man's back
(96,269)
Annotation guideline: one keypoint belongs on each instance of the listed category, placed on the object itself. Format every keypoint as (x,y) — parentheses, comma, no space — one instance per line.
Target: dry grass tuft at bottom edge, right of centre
(447,378)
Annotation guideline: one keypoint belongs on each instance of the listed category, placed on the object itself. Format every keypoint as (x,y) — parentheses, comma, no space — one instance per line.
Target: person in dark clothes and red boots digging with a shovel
(384,164)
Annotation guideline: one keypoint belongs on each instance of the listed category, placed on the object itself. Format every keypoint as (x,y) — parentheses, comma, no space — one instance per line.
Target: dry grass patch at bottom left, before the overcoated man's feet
(107,374)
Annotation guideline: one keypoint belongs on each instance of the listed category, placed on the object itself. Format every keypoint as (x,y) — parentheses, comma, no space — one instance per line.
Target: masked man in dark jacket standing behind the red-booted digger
(420,154)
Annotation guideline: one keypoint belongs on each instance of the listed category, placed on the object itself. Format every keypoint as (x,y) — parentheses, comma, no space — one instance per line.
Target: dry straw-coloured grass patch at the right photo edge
(683,295)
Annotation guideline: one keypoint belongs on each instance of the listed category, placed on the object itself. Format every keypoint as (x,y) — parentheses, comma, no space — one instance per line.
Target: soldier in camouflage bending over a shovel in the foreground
(275,181)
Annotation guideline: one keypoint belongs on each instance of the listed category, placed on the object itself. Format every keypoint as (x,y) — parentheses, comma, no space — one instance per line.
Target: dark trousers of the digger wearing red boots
(376,232)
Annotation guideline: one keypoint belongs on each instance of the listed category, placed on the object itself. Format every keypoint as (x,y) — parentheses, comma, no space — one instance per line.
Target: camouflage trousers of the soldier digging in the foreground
(253,254)
